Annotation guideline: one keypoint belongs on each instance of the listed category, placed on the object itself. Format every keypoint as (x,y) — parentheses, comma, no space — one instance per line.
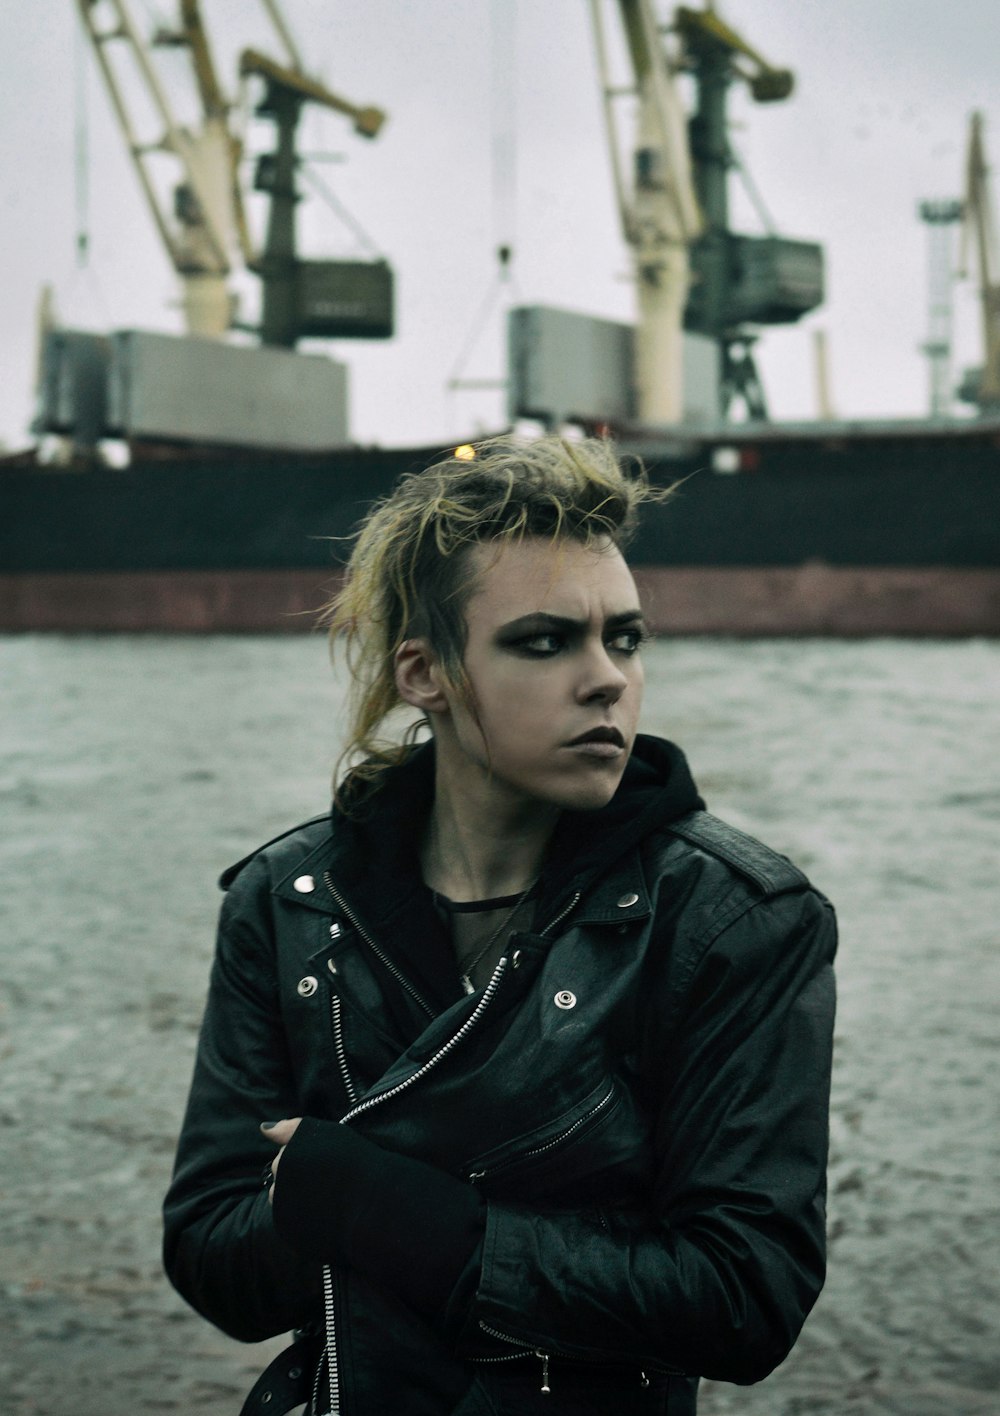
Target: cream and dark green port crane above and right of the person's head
(691,270)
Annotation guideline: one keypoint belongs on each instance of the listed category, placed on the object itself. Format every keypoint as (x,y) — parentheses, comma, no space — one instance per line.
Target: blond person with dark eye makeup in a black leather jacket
(532,1051)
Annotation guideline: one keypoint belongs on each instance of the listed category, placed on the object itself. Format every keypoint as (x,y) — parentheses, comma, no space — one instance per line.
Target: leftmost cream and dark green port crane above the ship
(203,220)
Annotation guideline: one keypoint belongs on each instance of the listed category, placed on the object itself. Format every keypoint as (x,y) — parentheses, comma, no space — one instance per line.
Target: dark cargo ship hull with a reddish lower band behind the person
(812,530)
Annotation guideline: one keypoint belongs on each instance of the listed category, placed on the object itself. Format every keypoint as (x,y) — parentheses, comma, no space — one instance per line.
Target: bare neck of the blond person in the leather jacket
(482,847)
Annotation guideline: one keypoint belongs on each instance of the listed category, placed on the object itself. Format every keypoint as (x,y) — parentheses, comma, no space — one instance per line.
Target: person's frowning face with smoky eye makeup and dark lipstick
(552,655)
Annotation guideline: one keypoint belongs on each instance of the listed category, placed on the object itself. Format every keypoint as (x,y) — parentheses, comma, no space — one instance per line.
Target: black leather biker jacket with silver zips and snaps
(641,1094)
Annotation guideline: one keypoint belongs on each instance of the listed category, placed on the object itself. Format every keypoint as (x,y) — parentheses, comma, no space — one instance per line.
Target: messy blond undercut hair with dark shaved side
(409,574)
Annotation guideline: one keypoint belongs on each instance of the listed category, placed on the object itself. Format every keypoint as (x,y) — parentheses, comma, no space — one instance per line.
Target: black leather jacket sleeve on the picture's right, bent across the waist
(719,1274)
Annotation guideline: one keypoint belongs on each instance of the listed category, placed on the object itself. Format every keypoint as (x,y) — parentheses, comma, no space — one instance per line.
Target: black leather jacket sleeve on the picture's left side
(222,1250)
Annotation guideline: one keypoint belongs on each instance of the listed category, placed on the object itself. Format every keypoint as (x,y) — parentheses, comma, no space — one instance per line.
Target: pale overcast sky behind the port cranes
(496,137)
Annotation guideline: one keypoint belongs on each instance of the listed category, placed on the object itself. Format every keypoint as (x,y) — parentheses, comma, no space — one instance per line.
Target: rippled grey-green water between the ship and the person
(134,770)
